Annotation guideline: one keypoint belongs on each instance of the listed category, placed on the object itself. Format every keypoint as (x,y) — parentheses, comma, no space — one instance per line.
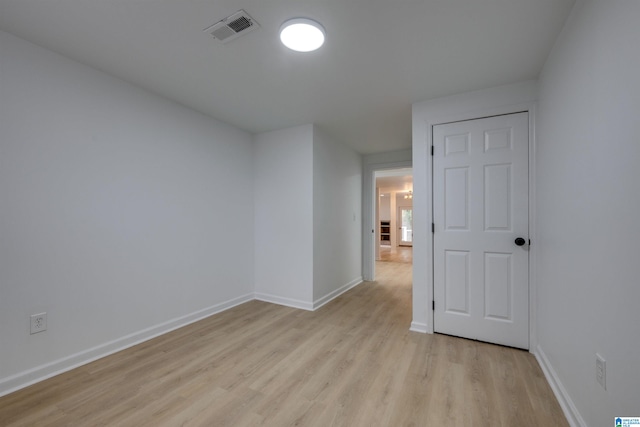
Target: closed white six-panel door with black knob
(480,209)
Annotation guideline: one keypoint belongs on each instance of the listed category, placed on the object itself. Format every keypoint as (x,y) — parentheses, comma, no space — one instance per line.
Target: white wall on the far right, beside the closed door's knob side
(588,203)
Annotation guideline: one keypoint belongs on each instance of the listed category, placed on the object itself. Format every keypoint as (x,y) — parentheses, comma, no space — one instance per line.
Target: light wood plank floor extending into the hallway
(351,363)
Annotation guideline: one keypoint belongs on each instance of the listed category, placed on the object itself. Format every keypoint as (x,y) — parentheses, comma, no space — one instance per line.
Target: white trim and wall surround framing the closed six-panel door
(519,97)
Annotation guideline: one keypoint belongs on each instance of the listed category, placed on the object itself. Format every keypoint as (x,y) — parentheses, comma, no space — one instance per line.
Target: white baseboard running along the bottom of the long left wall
(40,373)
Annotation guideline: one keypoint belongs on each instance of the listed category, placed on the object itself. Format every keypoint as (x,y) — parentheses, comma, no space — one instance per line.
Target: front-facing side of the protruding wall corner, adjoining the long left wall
(284,216)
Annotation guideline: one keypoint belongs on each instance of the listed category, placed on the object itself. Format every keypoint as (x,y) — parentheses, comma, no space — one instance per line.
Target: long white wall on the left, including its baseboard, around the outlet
(111,212)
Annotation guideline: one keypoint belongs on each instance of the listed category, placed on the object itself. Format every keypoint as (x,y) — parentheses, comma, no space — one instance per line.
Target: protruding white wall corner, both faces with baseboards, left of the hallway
(307,217)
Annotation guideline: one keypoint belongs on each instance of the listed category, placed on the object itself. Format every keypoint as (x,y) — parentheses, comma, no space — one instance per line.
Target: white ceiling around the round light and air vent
(380,56)
